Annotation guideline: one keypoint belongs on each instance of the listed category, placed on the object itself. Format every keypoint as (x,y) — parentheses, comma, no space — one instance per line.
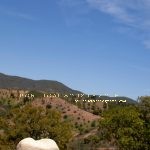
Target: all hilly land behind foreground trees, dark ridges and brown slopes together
(84,116)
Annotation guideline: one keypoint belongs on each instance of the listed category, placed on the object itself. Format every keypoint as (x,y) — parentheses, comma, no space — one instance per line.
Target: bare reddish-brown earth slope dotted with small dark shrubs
(68,109)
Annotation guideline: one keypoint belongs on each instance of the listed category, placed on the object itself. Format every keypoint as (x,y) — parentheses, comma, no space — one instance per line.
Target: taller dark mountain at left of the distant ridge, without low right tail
(16,82)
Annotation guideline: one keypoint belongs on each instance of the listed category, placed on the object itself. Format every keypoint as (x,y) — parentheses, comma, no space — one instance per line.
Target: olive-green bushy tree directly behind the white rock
(35,122)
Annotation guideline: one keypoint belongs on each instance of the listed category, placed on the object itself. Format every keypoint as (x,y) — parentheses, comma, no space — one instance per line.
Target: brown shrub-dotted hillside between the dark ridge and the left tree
(81,119)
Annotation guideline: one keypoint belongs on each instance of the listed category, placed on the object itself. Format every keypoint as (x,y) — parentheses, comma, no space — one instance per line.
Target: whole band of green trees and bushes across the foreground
(126,127)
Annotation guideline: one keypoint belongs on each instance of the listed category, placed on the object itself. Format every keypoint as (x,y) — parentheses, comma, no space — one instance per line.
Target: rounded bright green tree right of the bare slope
(124,126)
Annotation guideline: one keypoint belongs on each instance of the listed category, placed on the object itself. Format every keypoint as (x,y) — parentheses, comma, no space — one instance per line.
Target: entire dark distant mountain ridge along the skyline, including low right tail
(50,86)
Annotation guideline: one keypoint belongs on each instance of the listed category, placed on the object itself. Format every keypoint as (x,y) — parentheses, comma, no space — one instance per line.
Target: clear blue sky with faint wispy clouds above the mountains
(96,46)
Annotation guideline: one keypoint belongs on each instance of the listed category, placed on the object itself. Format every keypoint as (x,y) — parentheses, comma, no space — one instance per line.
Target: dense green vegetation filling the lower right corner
(123,127)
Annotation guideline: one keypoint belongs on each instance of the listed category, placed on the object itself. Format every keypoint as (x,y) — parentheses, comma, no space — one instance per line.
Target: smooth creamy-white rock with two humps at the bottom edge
(31,144)
